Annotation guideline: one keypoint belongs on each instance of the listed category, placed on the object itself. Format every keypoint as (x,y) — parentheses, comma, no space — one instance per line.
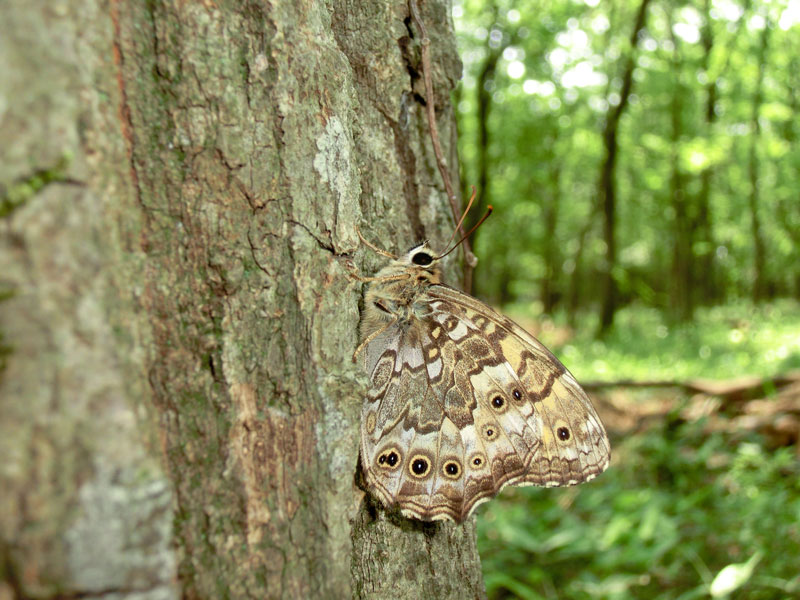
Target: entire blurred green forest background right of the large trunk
(642,160)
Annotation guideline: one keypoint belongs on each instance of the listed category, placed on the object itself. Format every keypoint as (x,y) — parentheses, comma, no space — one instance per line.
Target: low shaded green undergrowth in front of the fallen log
(676,507)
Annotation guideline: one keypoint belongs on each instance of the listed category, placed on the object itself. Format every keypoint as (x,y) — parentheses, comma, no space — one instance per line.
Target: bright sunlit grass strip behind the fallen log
(724,342)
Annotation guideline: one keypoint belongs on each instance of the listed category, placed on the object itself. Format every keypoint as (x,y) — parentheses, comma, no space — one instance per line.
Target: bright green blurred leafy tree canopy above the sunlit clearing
(548,74)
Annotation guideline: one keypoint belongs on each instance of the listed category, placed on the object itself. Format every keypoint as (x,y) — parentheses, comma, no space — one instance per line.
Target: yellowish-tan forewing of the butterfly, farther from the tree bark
(553,423)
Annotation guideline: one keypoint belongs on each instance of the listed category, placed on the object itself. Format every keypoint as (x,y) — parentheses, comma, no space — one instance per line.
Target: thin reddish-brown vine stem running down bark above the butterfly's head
(425,42)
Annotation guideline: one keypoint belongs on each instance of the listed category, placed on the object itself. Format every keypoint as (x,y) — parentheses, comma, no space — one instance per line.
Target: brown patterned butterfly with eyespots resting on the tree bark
(462,401)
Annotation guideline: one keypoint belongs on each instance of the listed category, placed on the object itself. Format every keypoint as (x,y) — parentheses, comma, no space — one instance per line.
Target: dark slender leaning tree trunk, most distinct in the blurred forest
(607,194)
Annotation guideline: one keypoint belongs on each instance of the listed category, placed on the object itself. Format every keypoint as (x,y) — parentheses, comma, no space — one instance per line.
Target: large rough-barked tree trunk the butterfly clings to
(180,188)
